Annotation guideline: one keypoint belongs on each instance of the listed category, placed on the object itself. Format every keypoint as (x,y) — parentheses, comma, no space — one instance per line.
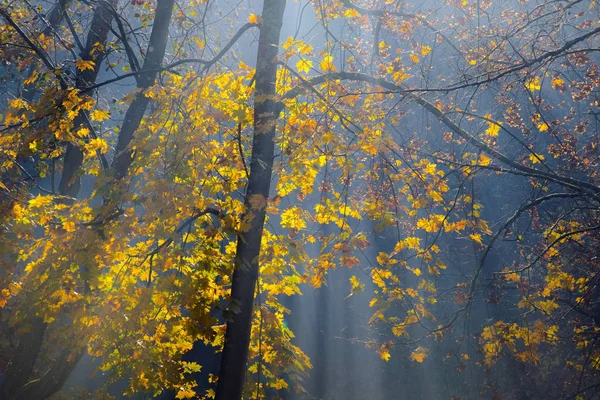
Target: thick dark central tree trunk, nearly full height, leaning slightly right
(245,275)
